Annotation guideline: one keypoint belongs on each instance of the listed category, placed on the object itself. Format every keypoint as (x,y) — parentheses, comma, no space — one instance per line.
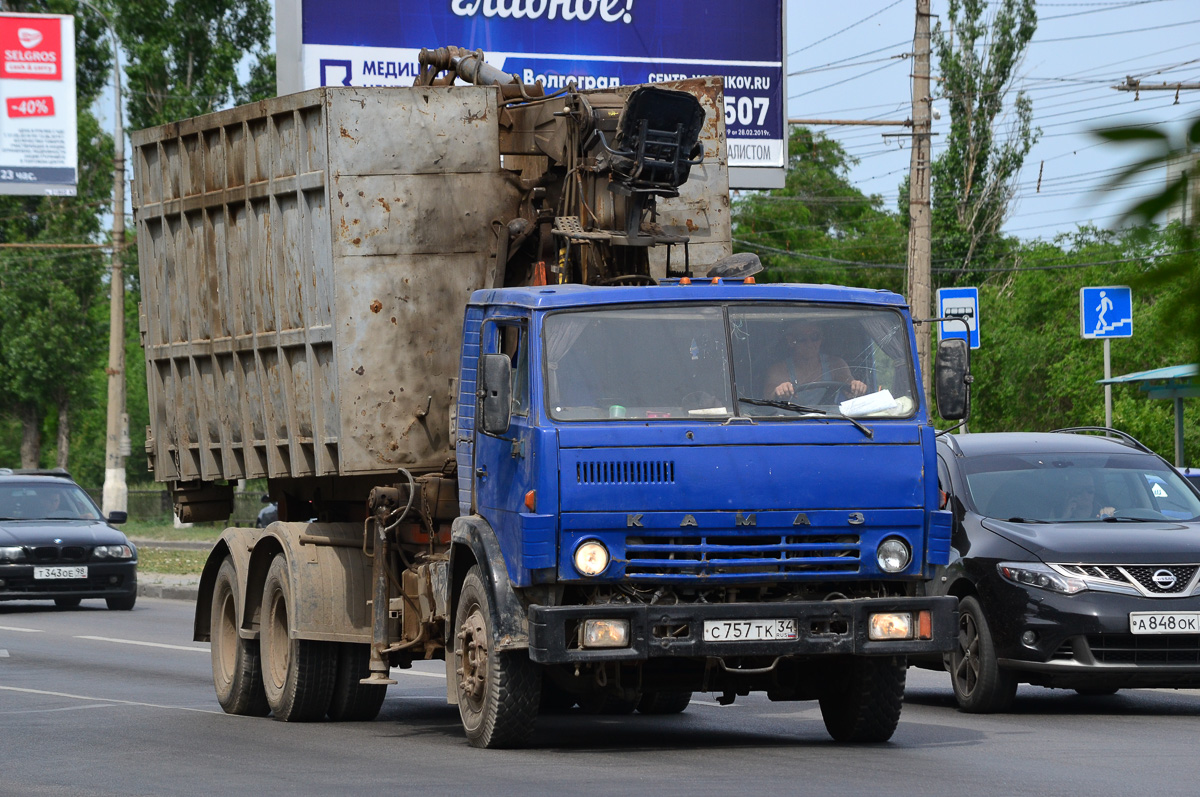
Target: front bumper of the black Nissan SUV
(1085,638)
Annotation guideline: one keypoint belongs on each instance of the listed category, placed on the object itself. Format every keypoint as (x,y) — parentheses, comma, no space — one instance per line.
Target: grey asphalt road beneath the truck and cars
(100,703)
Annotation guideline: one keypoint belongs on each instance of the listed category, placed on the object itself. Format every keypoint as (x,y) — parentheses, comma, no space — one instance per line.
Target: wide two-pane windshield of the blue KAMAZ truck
(779,362)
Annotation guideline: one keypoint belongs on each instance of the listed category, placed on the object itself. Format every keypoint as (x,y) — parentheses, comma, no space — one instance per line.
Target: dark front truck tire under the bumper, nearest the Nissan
(865,699)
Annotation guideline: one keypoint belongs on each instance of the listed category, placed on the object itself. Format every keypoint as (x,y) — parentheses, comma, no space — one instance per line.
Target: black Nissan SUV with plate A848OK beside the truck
(1076,556)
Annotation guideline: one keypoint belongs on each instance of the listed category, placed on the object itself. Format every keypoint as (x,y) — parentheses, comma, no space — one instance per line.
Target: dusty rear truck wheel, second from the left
(298,675)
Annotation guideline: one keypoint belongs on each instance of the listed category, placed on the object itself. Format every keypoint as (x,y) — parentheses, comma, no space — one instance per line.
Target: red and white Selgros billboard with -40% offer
(39,148)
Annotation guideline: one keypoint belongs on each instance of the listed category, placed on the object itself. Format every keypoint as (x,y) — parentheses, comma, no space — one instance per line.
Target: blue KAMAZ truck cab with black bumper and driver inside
(669,518)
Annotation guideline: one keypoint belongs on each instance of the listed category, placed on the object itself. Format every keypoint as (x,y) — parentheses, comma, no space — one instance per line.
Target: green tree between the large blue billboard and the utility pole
(819,227)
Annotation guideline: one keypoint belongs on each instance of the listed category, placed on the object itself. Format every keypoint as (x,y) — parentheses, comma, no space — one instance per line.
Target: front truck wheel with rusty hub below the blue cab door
(499,693)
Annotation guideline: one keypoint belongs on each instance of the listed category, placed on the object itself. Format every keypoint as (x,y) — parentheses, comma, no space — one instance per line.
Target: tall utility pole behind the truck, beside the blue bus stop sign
(920,218)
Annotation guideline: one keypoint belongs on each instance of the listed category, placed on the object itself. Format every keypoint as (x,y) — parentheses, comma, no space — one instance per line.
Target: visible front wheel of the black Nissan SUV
(981,686)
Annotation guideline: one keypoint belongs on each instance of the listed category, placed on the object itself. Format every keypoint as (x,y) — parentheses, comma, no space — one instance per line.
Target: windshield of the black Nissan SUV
(1058,488)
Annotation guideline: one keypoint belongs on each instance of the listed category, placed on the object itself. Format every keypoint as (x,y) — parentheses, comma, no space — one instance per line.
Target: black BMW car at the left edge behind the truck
(57,546)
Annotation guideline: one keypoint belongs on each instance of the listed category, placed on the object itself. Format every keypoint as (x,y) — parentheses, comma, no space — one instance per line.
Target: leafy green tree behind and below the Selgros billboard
(47,332)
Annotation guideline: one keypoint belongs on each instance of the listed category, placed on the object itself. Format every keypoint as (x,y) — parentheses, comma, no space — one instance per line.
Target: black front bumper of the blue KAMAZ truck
(825,628)
